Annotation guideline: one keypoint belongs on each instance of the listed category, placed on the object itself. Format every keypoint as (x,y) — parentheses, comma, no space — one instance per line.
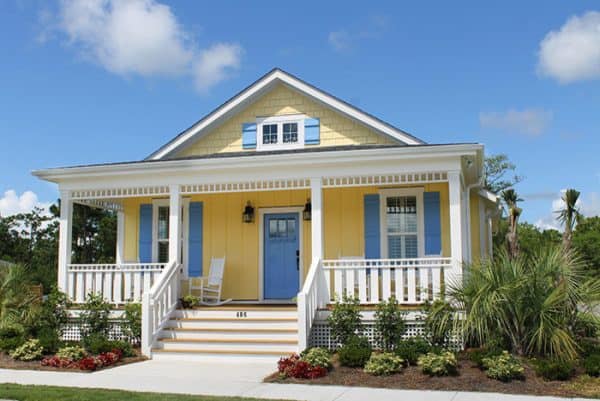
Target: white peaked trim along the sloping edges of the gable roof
(279,75)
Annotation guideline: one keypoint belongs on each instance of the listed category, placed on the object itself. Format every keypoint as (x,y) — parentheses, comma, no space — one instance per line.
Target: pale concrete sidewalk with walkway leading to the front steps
(232,379)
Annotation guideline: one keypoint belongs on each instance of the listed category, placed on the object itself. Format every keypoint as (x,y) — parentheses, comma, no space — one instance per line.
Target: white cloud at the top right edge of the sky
(573,52)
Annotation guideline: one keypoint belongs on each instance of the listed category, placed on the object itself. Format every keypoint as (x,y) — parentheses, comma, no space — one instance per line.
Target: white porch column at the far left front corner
(64,238)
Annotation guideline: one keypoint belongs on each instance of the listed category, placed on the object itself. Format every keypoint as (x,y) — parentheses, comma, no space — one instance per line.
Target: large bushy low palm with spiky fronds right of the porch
(518,299)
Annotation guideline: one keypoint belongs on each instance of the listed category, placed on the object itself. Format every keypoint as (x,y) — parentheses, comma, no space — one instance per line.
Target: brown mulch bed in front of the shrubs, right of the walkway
(470,378)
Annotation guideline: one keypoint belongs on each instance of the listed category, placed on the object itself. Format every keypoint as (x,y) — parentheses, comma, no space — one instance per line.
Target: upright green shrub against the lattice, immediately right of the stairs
(345,319)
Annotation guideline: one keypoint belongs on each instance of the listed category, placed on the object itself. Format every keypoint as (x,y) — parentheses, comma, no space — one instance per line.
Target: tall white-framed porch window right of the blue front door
(402,223)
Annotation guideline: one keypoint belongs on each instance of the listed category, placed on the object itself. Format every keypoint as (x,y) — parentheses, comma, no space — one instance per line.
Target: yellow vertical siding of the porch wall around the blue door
(226,235)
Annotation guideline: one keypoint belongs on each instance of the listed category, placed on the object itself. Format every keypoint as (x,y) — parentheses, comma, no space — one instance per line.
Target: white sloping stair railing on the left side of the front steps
(157,305)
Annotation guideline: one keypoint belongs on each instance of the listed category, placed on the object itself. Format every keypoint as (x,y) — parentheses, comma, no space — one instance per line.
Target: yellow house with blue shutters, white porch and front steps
(303,196)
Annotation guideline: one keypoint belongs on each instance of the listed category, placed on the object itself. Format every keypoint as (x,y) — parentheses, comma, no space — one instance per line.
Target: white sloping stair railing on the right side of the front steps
(314,295)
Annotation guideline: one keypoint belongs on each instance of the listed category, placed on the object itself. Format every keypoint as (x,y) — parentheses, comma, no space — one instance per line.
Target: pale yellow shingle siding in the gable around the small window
(336,129)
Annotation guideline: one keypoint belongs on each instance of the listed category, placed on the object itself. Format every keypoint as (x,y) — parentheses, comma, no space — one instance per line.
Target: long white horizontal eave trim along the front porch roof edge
(260,160)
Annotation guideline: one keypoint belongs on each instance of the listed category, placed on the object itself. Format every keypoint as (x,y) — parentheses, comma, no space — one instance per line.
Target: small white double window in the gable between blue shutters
(280,132)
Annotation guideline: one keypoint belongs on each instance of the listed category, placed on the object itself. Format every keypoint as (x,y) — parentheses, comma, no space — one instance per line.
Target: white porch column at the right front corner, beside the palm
(456,227)
